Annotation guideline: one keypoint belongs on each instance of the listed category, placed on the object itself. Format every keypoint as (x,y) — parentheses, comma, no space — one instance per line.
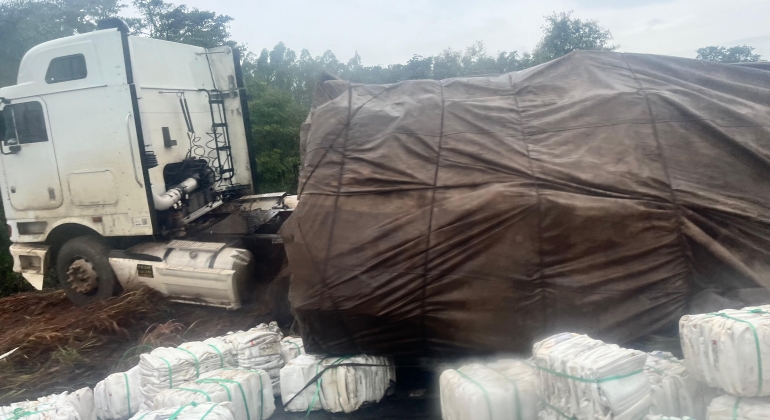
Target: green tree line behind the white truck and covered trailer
(280,82)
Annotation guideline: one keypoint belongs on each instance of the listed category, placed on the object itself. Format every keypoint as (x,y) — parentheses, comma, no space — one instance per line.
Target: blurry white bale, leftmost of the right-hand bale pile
(505,390)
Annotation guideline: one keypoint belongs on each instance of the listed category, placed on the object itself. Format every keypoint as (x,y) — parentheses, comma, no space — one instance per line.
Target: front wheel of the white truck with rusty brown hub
(84,270)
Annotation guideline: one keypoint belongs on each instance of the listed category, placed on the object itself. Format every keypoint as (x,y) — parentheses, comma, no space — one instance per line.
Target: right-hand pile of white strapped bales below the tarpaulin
(724,376)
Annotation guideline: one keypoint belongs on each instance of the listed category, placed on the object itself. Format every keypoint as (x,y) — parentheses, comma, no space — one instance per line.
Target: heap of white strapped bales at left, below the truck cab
(232,377)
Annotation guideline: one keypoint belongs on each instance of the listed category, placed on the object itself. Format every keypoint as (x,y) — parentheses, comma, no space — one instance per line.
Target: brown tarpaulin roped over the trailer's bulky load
(594,193)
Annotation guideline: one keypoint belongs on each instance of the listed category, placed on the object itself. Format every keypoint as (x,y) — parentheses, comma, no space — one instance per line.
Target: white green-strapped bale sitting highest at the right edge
(725,349)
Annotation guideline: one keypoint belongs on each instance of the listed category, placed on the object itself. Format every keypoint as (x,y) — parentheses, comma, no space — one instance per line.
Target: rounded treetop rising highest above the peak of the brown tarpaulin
(563,34)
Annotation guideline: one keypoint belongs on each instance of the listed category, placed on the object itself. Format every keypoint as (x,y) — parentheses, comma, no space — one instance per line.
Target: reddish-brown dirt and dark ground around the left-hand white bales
(63,347)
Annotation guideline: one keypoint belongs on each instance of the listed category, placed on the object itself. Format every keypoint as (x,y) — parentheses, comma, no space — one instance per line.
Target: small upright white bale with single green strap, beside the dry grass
(118,396)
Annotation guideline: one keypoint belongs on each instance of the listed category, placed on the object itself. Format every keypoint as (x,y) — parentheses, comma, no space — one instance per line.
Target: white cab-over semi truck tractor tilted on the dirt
(128,161)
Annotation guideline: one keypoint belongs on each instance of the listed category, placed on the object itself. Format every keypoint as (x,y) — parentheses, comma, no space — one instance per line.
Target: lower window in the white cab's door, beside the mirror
(24,123)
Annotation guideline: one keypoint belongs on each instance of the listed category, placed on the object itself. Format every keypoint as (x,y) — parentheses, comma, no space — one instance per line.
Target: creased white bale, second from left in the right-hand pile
(589,379)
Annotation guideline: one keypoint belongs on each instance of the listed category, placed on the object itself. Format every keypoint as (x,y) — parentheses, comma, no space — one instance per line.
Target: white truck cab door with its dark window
(28,157)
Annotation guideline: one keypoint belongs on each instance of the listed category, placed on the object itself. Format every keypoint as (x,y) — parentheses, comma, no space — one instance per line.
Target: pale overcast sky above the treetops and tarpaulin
(392,31)
